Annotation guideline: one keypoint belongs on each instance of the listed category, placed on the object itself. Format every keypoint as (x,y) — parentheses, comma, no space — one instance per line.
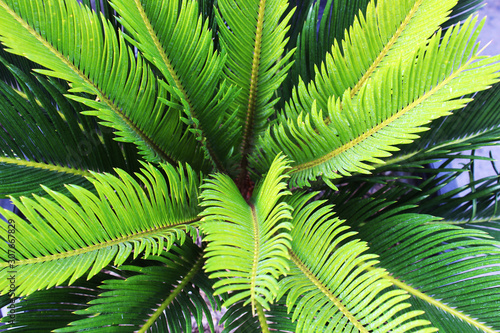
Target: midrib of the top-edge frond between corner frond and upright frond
(178,82)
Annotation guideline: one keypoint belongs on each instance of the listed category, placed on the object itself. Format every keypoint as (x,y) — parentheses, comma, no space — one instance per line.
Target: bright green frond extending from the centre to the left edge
(66,239)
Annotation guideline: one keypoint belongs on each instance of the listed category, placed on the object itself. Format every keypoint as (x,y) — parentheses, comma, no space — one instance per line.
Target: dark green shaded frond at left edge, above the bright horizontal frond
(46,141)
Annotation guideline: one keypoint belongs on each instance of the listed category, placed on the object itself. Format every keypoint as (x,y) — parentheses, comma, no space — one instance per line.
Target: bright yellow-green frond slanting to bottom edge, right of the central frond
(333,284)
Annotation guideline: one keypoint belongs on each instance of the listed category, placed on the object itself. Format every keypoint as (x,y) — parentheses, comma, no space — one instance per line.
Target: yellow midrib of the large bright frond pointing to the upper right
(388,121)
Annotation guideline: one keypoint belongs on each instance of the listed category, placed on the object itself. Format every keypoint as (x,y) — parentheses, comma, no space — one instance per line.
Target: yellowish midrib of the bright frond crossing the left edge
(95,247)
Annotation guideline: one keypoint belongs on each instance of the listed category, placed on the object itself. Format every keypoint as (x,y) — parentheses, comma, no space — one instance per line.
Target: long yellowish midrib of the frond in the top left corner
(99,92)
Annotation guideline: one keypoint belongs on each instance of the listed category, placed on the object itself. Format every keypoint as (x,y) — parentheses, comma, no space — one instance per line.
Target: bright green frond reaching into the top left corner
(95,60)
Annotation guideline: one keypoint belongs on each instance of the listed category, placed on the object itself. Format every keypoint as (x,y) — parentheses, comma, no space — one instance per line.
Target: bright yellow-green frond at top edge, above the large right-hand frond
(386,34)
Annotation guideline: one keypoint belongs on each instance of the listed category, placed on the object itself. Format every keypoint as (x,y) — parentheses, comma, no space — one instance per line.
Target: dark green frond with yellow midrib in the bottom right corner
(453,271)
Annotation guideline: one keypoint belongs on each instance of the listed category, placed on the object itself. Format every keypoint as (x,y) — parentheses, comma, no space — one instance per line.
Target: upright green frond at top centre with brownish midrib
(252,34)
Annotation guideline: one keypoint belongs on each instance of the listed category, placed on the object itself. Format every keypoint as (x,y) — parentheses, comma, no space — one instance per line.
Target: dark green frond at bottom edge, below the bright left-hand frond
(160,295)
